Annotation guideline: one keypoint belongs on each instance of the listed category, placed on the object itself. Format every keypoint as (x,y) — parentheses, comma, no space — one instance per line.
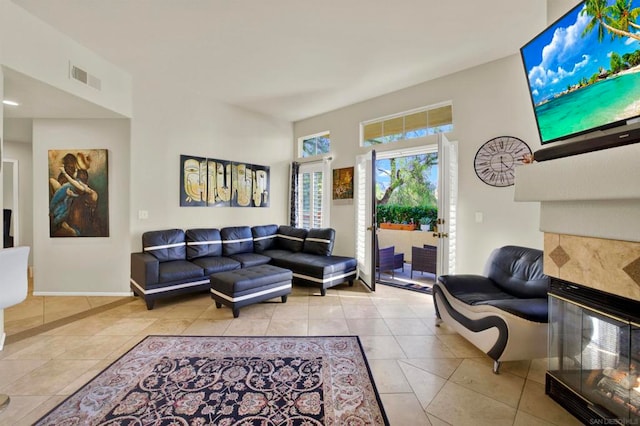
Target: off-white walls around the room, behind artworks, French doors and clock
(489,101)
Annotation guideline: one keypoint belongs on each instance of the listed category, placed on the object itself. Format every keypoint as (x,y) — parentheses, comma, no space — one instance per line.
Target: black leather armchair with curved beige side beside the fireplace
(503,312)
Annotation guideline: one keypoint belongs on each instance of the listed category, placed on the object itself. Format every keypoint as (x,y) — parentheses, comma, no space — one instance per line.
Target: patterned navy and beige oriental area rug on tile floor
(225,381)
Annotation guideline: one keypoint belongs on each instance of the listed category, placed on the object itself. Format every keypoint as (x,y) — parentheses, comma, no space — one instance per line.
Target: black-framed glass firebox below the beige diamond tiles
(594,354)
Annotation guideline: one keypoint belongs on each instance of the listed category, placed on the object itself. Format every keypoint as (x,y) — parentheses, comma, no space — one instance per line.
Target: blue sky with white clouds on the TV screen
(561,56)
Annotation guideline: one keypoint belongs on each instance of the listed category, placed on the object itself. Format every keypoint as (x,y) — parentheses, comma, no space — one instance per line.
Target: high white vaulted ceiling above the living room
(292,59)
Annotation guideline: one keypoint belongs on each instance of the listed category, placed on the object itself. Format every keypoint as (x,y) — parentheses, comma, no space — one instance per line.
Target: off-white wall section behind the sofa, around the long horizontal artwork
(169,122)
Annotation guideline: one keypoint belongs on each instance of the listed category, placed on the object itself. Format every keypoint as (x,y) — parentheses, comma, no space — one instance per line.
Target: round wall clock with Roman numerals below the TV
(497,158)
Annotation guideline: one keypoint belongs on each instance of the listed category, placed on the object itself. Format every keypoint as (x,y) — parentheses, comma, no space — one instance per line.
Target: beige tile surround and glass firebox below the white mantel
(594,328)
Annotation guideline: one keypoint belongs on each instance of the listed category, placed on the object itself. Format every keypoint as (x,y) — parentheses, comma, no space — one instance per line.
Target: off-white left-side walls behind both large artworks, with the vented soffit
(143,156)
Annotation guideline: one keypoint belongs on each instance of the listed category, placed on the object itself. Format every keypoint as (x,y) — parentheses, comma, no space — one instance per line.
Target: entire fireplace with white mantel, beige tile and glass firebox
(589,210)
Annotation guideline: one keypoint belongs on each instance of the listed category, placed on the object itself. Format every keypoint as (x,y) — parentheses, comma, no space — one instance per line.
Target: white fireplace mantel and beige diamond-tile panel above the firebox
(589,212)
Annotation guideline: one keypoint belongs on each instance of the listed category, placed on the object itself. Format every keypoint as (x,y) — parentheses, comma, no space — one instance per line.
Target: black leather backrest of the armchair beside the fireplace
(518,271)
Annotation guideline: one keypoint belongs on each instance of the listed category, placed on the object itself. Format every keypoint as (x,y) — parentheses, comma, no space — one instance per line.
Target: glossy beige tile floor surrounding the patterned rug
(425,375)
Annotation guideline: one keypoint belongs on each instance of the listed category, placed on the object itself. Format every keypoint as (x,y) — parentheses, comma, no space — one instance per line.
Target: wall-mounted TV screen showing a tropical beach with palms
(582,70)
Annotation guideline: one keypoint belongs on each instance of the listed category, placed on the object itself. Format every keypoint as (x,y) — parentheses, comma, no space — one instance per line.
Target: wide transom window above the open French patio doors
(412,124)
